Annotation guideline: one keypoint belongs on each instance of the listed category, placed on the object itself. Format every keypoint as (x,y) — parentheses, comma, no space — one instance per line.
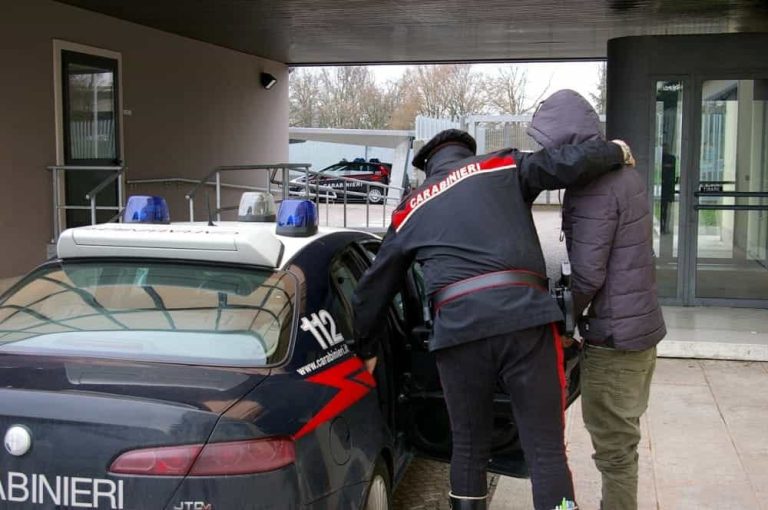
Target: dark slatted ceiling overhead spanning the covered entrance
(390,31)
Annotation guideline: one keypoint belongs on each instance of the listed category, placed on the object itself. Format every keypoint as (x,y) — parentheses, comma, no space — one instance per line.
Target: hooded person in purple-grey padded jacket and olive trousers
(608,230)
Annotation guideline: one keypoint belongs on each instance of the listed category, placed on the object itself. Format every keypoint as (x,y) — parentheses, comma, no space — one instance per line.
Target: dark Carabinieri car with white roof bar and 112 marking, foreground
(207,366)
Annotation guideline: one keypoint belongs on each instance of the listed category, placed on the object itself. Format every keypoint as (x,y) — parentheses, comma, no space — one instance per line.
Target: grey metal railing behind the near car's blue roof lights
(279,182)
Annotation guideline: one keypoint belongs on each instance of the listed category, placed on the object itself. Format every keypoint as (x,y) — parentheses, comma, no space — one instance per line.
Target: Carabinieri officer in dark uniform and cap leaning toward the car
(470,227)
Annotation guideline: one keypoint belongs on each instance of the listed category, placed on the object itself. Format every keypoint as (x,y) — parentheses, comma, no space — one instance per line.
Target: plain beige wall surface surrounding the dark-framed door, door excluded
(194,106)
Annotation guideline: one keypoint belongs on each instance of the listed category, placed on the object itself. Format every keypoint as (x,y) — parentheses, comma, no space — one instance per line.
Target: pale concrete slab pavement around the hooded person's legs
(704,446)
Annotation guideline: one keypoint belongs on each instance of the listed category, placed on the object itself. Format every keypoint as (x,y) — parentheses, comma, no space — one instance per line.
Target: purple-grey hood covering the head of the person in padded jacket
(563,118)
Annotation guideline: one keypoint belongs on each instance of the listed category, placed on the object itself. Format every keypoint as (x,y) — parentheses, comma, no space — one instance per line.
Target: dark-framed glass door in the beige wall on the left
(90,107)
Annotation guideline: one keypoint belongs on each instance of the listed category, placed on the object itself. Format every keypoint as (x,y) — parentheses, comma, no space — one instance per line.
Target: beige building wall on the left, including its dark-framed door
(83,88)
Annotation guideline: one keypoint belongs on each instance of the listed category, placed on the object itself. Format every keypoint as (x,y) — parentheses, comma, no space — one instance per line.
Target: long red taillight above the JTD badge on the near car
(214,459)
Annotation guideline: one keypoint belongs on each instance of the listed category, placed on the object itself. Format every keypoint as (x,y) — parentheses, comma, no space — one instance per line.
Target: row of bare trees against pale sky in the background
(349,97)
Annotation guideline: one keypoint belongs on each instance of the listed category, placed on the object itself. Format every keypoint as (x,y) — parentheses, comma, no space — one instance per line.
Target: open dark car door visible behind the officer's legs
(429,426)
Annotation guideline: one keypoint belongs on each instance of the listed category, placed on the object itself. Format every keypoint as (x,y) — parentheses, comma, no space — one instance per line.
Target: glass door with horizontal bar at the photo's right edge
(731,194)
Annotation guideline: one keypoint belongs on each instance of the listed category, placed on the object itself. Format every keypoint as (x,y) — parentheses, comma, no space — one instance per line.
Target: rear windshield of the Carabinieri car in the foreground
(152,311)
